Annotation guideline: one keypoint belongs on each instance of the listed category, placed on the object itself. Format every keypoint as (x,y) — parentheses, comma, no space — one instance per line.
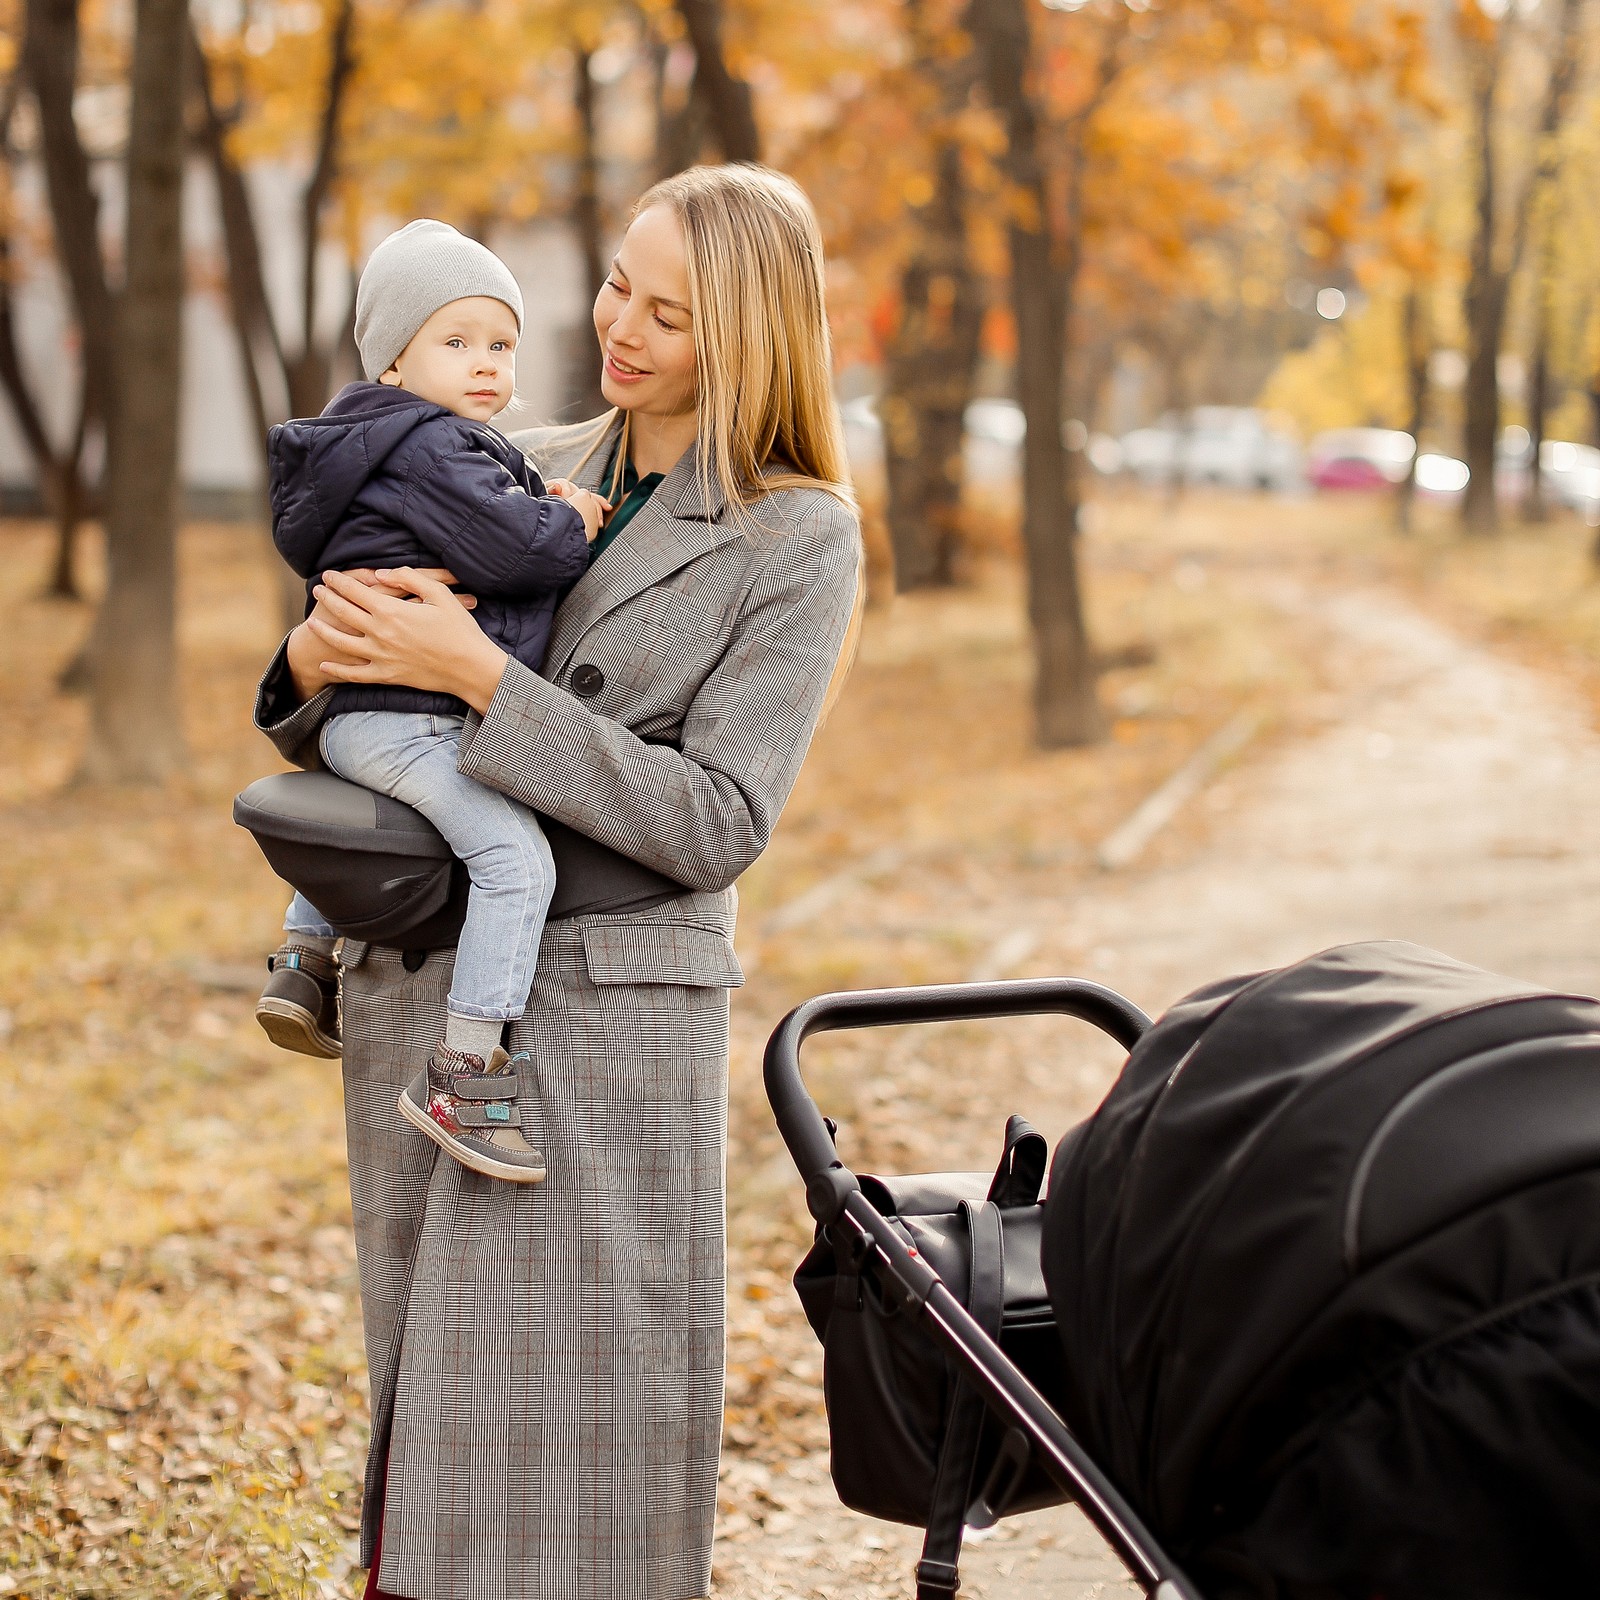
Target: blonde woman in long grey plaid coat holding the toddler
(546,1361)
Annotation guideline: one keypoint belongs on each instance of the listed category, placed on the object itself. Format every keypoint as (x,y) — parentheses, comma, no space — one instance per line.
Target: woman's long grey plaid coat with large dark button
(546,1362)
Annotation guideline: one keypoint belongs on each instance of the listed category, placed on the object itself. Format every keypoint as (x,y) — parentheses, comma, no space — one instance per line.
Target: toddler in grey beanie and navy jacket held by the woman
(406,471)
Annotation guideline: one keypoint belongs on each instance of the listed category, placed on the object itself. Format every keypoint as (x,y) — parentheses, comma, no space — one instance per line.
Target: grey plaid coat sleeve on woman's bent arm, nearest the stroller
(705,812)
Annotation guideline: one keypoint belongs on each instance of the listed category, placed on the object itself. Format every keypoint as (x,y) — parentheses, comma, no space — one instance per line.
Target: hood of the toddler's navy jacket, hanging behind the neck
(318,466)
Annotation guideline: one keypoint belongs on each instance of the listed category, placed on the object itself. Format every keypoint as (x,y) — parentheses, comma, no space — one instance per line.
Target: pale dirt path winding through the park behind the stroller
(1447,798)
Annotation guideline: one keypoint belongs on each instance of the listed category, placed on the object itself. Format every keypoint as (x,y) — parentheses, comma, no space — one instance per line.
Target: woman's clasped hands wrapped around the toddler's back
(370,630)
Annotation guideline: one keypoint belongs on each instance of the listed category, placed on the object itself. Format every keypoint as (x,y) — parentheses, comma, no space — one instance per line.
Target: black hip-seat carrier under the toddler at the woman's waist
(382,873)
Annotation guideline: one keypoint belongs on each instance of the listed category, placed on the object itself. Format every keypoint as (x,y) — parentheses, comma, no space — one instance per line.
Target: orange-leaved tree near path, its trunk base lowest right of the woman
(1137,135)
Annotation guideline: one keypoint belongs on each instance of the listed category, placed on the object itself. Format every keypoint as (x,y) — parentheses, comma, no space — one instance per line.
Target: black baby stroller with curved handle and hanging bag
(1311,1310)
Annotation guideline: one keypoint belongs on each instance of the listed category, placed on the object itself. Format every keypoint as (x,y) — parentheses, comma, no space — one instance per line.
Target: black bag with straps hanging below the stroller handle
(910,1439)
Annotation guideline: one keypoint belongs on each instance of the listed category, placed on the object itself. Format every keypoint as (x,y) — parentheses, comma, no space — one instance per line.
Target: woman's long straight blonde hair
(762,351)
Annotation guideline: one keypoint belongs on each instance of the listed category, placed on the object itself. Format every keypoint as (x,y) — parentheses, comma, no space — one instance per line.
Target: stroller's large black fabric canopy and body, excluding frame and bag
(1326,1270)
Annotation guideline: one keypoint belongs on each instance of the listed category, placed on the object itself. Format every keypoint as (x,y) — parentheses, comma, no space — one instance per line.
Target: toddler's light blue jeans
(412,758)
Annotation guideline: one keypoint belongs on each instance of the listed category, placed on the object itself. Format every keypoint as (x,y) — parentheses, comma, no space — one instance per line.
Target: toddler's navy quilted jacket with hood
(386,479)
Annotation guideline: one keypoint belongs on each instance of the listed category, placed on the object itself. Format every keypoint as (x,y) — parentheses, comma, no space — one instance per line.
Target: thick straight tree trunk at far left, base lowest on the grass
(135,730)
